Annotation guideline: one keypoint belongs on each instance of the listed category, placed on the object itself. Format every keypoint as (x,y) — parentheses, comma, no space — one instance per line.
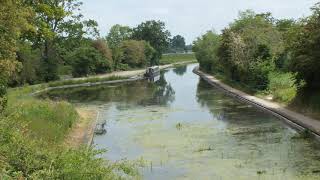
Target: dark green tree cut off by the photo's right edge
(305,49)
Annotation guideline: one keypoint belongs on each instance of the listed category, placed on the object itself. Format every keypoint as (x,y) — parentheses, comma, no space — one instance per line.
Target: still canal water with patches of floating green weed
(182,128)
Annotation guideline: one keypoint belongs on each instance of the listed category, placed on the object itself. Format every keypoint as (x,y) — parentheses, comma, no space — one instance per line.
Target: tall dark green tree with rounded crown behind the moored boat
(155,33)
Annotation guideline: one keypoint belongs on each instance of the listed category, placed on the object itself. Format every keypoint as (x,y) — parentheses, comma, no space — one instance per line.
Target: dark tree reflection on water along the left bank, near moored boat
(132,93)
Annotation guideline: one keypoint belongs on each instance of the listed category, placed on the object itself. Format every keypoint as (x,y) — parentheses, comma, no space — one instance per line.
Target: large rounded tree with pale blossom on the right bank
(248,48)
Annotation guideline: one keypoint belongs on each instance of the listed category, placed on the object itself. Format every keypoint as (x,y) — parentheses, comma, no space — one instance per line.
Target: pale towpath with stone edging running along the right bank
(294,119)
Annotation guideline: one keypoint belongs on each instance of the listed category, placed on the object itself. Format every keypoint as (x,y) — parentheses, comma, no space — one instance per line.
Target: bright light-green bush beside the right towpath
(283,86)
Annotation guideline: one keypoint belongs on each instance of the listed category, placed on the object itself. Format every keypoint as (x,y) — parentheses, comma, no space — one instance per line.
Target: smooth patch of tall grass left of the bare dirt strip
(46,119)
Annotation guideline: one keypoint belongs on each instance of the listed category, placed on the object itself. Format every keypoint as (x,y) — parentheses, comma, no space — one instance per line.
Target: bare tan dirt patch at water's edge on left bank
(83,130)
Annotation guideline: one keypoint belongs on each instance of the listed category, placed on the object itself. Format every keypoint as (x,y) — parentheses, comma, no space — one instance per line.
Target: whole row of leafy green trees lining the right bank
(262,53)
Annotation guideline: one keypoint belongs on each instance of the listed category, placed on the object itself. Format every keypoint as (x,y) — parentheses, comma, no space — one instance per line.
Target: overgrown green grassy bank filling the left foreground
(32,136)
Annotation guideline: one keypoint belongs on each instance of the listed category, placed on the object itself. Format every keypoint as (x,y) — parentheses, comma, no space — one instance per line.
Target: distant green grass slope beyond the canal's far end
(176,58)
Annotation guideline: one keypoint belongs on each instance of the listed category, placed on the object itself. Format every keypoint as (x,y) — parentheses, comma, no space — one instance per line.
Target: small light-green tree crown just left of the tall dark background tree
(117,35)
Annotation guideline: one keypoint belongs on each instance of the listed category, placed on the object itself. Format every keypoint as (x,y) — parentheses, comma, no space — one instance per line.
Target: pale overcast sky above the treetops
(190,18)
